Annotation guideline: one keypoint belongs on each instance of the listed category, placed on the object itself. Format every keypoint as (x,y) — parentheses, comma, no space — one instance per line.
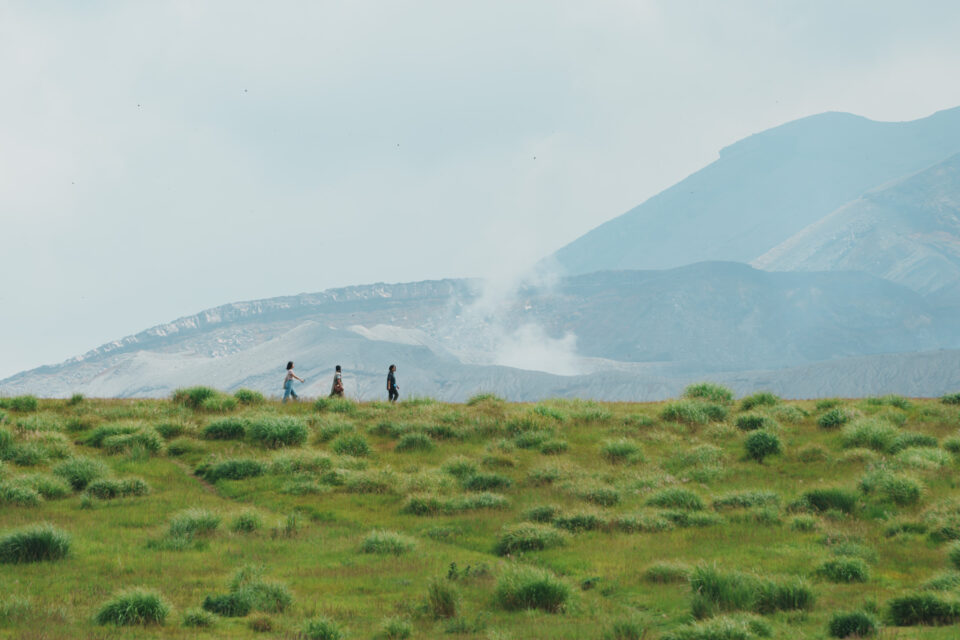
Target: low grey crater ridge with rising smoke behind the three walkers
(638,334)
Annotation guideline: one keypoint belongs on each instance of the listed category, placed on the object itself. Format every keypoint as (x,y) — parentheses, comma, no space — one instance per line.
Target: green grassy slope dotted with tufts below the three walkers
(703,517)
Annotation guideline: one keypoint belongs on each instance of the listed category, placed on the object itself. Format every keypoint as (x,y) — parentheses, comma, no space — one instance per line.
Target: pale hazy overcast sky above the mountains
(160,158)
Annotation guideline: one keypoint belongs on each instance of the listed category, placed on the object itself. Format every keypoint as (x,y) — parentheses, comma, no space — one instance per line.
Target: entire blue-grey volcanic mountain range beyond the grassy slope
(851,226)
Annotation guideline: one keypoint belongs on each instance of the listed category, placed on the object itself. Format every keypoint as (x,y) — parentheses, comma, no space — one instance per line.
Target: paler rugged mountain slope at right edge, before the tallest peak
(907,232)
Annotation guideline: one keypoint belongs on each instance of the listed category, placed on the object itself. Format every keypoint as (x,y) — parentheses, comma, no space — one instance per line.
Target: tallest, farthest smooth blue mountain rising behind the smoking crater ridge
(763,190)
